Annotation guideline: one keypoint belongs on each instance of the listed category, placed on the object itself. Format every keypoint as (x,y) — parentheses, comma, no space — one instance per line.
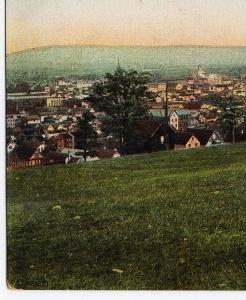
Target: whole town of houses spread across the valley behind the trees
(42,126)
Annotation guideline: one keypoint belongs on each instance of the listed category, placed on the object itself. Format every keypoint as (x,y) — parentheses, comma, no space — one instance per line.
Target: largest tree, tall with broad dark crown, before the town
(124,96)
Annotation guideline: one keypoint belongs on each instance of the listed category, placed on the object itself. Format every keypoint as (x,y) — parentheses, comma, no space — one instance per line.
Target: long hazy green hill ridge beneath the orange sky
(86,61)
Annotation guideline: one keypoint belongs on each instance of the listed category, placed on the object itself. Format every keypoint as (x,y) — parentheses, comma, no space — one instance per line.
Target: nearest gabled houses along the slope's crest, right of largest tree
(151,134)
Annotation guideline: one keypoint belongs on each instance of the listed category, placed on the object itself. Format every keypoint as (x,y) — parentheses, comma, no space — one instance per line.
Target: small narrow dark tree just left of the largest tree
(86,135)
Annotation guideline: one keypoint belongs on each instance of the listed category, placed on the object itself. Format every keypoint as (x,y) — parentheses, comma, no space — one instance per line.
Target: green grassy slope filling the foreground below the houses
(168,220)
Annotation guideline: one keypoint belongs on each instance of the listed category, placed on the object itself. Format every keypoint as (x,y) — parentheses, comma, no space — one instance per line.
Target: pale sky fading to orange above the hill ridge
(40,23)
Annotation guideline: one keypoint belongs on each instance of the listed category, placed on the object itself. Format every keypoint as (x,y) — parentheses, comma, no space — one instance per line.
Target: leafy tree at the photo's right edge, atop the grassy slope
(232,114)
